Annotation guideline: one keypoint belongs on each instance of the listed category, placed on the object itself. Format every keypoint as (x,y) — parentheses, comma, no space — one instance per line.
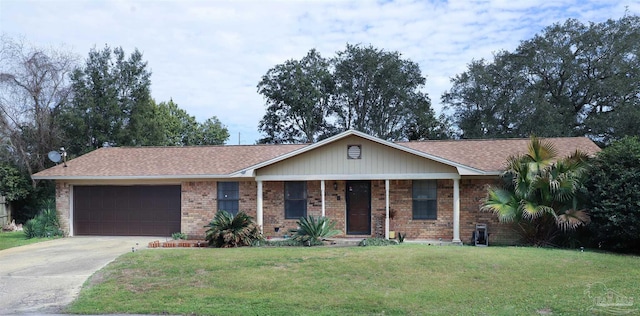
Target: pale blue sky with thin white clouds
(210,55)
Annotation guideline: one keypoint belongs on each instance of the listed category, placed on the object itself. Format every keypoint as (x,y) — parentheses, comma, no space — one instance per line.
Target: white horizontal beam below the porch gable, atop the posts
(399,176)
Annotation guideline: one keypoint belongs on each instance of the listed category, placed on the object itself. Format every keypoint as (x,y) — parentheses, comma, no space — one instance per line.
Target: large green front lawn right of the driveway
(398,280)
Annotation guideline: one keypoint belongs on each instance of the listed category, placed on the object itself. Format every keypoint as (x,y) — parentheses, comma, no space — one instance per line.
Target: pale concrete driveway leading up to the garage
(45,277)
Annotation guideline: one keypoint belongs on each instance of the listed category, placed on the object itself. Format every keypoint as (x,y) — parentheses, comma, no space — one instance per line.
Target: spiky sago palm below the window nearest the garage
(226,230)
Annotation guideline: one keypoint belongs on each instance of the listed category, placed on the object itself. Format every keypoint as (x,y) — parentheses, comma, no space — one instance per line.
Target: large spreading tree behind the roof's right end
(580,80)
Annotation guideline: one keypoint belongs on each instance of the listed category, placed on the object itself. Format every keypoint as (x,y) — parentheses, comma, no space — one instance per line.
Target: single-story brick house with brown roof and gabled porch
(371,187)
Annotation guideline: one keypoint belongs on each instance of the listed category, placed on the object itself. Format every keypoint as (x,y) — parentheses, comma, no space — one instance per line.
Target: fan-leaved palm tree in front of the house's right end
(541,193)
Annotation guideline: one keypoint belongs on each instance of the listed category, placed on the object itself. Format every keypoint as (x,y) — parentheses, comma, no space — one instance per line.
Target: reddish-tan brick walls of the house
(199,205)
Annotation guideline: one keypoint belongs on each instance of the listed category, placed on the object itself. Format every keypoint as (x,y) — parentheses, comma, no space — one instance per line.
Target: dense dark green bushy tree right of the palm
(614,187)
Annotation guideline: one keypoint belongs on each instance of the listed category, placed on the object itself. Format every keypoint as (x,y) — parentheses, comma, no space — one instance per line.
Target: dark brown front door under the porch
(358,207)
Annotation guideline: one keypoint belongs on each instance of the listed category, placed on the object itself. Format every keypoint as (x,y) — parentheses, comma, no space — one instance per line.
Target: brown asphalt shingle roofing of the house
(485,155)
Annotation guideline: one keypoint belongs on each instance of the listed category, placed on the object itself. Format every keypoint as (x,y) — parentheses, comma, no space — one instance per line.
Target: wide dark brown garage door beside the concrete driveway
(126,210)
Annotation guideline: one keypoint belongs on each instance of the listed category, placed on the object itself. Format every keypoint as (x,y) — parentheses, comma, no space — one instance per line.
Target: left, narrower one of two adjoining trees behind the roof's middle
(297,95)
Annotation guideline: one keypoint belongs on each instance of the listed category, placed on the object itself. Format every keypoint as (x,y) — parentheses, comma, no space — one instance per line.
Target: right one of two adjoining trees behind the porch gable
(377,92)
